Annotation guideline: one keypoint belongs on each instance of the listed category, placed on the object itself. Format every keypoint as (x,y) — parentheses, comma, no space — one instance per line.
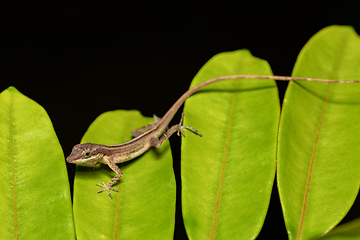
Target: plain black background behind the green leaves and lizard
(80,60)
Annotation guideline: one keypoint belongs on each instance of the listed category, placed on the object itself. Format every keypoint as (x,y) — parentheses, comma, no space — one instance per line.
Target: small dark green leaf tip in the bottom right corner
(347,231)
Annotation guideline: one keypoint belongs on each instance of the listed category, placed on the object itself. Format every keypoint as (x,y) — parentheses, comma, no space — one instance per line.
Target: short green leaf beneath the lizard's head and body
(144,207)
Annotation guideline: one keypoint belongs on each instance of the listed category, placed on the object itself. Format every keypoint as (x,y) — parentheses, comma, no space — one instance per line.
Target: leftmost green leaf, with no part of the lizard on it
(35,196)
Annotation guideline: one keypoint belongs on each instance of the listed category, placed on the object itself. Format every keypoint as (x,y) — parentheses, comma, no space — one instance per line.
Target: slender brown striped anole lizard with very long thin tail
(91,153)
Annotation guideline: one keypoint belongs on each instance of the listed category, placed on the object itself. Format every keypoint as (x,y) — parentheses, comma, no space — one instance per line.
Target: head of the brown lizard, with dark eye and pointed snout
(85,153)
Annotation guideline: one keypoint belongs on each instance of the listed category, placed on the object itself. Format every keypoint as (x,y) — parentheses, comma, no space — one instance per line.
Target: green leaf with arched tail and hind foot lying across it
(227,175)
